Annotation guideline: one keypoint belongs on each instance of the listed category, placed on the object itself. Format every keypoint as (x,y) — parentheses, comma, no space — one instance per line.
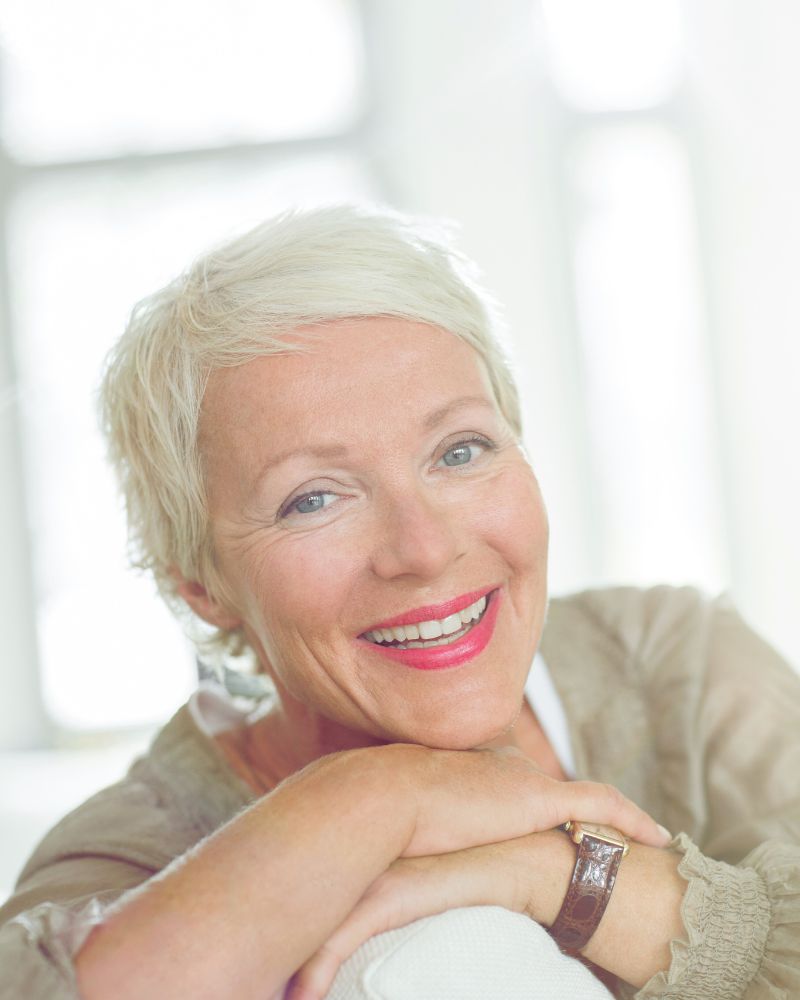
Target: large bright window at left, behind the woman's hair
(135,134)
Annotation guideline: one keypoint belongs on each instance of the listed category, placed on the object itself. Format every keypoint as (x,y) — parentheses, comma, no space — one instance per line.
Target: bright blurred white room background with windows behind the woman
(625,173)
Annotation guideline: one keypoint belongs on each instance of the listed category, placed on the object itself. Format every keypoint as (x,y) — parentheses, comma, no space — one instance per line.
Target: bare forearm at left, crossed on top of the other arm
(238,915)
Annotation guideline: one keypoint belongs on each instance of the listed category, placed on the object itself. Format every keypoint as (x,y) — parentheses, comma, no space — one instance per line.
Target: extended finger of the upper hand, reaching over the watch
(603,803)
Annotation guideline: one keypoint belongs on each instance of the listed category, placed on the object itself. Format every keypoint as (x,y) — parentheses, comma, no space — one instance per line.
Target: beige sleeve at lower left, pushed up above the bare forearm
(95,856)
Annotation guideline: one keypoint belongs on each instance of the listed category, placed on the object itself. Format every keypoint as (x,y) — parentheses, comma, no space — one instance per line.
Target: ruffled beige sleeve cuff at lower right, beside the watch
(742,925)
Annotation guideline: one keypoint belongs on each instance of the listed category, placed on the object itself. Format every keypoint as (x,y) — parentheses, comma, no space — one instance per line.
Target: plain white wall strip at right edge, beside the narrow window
(744,81)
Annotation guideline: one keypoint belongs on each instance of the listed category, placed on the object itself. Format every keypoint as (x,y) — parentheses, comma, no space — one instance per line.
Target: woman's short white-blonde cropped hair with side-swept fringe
(239,301)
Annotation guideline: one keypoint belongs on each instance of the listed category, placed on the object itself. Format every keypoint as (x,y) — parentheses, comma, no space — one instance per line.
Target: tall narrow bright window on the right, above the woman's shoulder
(628,201)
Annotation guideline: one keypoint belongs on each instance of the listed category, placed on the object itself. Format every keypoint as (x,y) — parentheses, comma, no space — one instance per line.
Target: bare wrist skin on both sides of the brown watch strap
(643,914)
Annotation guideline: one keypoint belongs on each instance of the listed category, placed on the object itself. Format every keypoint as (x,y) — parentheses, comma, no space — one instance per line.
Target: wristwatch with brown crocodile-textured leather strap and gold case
(600,851)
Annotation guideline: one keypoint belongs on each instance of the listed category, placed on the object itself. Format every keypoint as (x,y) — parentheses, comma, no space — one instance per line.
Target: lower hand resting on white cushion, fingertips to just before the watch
(413,888)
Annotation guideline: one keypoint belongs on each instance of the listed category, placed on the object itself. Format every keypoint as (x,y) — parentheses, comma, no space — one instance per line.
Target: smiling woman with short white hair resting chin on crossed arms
(318,442)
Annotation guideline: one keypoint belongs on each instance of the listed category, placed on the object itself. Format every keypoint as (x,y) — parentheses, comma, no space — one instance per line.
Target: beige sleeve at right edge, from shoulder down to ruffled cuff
(741,910)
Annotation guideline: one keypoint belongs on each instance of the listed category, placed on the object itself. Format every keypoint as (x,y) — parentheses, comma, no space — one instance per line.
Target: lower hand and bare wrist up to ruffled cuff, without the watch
(527,875)
